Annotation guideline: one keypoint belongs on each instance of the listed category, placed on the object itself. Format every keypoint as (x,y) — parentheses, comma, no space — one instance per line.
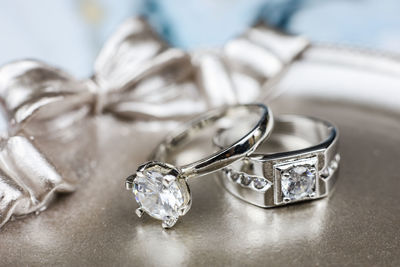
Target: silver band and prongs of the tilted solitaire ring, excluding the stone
(229,153)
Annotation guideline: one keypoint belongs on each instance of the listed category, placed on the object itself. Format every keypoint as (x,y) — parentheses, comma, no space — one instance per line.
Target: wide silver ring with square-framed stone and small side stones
(298,162)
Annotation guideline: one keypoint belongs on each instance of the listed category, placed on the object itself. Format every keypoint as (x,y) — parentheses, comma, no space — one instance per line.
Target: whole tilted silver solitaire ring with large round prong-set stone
(161,189)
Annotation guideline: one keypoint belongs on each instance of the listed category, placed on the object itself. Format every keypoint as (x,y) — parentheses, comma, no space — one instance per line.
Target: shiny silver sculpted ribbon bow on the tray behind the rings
(136,75)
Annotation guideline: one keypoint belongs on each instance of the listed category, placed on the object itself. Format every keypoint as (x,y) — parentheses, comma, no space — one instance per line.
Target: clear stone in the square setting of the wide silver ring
(298,182)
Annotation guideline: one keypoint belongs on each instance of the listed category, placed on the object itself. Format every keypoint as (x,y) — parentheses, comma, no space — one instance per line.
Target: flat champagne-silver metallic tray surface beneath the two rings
(357,225)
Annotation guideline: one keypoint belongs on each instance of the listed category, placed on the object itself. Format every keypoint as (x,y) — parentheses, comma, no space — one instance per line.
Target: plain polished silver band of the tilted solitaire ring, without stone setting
(228,154)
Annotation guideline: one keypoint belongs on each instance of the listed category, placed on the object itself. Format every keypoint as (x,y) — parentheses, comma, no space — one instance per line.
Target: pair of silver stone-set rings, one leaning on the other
(271,163)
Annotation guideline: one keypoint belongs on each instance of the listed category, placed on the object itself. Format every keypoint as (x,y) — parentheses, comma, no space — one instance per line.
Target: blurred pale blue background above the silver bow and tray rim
(69,33)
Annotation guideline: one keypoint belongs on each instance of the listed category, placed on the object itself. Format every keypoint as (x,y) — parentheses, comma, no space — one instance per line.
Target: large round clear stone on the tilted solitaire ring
(159,192)
